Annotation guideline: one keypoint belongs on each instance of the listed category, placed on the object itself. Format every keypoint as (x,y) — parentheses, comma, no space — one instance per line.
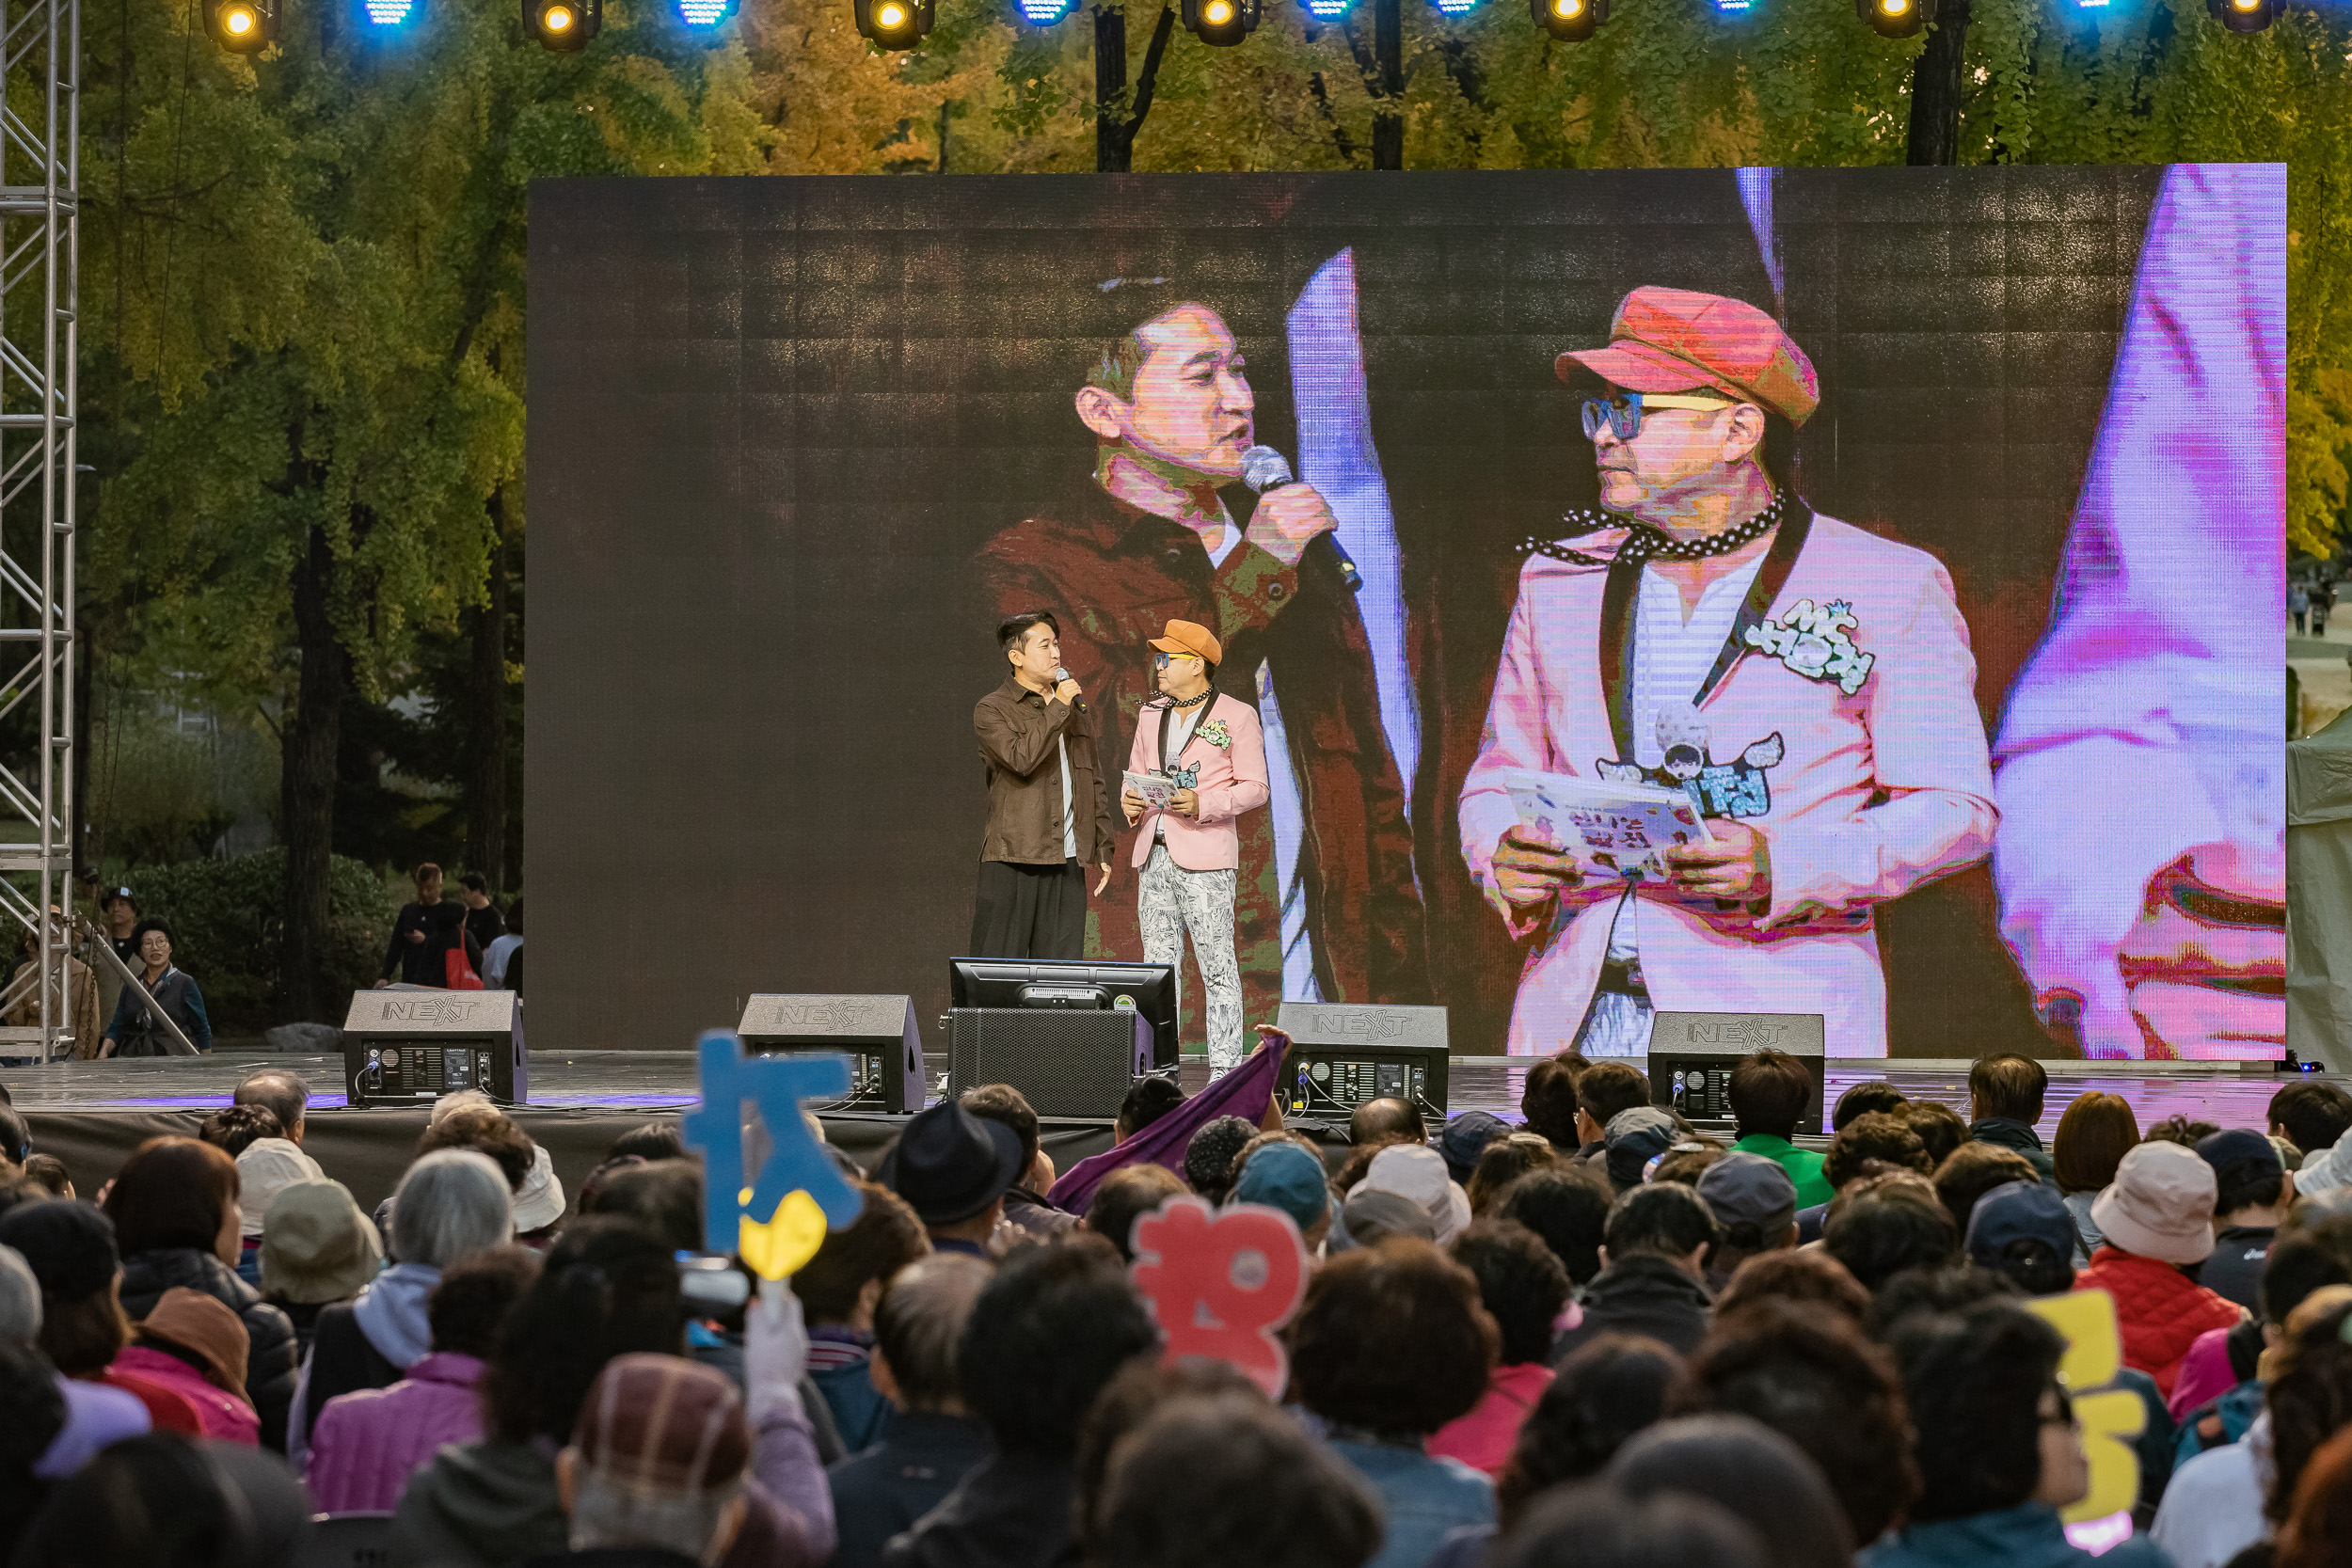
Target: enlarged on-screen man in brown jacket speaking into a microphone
(1149,537)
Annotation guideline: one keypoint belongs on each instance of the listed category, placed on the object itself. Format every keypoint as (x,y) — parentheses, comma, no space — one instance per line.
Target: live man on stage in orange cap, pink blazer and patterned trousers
(1189,855)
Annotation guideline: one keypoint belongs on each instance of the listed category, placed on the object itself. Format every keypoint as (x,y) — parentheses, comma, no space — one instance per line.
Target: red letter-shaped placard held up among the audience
(1222,1282)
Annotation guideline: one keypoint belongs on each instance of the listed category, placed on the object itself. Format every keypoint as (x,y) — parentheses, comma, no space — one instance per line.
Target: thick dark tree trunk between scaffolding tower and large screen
(309,786)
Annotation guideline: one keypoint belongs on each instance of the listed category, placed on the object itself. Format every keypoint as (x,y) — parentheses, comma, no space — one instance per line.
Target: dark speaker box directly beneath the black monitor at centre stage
(1064,1064)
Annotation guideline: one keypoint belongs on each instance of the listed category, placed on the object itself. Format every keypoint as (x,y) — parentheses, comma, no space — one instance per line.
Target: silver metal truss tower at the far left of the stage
(41,62)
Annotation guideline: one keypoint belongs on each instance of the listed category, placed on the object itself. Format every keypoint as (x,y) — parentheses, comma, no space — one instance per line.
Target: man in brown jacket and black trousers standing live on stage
(1048,808)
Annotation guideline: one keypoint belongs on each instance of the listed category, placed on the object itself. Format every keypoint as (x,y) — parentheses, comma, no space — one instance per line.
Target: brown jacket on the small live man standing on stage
(1017,732)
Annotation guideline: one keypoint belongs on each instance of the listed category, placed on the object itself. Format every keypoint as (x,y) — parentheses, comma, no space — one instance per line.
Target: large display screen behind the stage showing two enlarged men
(1989,716)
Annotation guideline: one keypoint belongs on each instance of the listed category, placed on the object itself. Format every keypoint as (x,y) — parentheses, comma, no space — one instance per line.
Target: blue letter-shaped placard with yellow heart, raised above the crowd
(777,1217)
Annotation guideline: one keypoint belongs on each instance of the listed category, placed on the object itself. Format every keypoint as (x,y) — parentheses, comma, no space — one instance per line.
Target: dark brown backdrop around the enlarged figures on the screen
(773,420)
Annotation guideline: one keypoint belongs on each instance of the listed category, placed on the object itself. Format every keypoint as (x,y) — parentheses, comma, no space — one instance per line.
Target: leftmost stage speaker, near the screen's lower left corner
(413,1045)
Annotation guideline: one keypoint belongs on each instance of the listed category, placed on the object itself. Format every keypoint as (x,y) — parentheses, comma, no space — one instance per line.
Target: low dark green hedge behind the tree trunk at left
(227,930)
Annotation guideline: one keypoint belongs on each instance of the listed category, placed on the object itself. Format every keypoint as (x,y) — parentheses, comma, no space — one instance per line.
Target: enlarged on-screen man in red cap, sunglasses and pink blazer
(1810,685)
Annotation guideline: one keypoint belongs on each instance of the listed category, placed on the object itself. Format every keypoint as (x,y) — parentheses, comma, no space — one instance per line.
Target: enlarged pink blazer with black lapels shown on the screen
(1805,749)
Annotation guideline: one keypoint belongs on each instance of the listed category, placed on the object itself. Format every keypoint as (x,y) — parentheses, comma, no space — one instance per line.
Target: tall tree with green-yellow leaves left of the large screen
(307,283)
